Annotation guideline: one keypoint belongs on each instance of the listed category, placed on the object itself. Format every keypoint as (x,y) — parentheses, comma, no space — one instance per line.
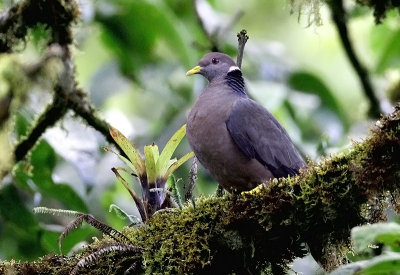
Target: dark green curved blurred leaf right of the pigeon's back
(309,83)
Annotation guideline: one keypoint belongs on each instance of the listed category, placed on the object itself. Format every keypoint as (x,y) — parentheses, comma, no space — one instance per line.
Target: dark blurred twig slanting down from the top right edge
(339,18)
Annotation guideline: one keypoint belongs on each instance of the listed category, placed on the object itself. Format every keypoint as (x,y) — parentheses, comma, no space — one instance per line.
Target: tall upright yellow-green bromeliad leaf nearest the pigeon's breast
(169,149)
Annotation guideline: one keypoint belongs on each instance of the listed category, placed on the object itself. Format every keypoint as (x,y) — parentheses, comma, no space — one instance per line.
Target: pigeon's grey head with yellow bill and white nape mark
(214,65)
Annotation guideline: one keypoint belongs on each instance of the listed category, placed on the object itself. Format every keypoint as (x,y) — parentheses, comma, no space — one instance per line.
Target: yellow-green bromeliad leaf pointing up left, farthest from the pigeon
(129,150)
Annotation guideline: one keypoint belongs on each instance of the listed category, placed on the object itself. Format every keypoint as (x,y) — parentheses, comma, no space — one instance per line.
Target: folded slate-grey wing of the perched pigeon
(259,135)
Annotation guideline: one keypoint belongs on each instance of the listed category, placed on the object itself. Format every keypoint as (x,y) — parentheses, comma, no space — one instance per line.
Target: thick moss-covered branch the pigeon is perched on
(265,228)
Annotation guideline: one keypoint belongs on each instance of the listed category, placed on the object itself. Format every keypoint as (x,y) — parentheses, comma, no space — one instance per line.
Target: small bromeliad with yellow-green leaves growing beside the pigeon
(153,171)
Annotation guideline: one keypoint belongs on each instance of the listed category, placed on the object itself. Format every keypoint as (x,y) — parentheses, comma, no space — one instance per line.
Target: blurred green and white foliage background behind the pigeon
(131,58)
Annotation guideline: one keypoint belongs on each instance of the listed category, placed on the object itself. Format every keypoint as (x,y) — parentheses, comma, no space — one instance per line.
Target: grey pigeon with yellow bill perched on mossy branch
(236,139)
